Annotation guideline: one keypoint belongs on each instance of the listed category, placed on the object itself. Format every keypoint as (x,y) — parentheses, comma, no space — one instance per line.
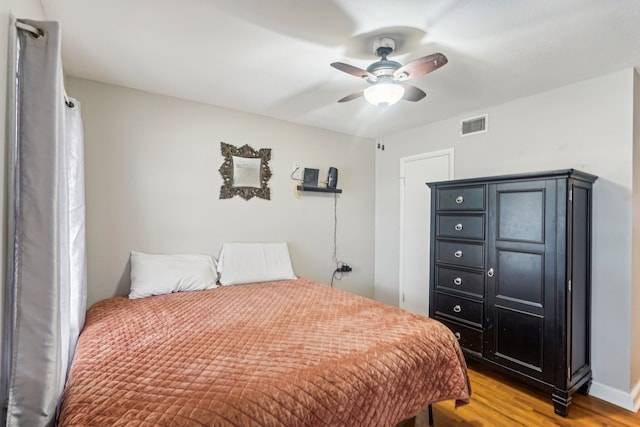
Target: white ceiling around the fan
(272,57)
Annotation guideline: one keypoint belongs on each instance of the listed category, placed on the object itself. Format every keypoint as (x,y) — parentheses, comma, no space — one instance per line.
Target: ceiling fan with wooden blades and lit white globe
(386,77)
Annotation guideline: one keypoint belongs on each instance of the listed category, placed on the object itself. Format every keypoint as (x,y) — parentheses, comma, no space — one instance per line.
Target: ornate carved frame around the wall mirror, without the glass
(228,190)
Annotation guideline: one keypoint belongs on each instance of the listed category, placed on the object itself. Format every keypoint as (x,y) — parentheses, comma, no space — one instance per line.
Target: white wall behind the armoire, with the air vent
(586,126)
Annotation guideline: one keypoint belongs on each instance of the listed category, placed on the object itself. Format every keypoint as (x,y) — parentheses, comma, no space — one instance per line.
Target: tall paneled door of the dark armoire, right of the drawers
(520,276)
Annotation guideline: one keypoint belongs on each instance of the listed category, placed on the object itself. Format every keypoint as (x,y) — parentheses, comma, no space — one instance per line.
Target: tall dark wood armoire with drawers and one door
(510,274)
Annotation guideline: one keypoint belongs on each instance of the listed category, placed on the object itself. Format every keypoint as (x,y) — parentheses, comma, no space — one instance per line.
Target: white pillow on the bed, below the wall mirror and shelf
(241,263)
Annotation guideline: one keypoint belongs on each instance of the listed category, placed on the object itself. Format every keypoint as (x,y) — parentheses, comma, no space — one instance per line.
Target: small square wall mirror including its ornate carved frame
(245,172)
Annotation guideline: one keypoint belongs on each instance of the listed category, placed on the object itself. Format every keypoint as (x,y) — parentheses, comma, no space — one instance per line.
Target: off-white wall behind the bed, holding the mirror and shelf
(153,184)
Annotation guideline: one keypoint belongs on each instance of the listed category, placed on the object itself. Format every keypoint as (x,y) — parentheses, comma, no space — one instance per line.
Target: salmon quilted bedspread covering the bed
(286,353)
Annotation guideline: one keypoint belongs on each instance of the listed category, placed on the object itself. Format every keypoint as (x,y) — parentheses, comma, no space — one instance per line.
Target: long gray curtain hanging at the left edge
(45,289)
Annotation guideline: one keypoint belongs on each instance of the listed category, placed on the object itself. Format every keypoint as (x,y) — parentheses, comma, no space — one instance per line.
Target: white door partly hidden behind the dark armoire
(415,208)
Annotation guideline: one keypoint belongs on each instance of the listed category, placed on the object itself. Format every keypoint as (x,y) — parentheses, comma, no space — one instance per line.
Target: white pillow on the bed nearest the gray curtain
(163,274)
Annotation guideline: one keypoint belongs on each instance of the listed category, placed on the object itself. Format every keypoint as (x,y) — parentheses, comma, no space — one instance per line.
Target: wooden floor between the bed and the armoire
(497,401)
